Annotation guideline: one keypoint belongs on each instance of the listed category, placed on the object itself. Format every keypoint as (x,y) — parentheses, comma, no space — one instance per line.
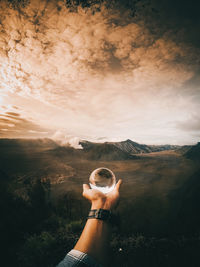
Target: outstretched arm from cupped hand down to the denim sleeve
(94,240)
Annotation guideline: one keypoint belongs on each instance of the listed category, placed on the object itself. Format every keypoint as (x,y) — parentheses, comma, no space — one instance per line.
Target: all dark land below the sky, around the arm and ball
(42,210)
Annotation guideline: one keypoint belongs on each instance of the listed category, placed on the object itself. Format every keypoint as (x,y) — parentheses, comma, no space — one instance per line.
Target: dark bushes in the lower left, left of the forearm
(35,232)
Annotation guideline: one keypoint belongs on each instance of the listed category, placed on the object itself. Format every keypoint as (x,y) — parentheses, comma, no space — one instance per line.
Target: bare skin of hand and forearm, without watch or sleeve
(94,239)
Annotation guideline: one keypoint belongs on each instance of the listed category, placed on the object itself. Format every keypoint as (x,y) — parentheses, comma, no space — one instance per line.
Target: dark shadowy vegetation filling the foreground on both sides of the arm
(38,231)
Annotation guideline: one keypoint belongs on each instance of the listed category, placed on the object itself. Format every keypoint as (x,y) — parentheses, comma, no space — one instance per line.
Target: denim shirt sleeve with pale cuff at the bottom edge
(76,258)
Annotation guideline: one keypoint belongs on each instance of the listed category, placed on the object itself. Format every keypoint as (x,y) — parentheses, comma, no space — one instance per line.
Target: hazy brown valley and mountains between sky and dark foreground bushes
(145,170)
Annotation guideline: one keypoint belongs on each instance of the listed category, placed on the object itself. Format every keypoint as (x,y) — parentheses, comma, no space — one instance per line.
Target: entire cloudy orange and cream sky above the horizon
(100,70)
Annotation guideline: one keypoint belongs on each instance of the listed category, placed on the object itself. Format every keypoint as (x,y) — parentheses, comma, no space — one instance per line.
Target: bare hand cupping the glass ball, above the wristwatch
(100,200)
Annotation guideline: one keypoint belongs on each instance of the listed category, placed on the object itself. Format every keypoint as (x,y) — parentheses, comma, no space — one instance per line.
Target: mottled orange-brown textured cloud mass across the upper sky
(49,56)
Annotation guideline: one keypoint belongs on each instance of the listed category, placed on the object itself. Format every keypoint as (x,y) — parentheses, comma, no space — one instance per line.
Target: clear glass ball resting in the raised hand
(103,180)
